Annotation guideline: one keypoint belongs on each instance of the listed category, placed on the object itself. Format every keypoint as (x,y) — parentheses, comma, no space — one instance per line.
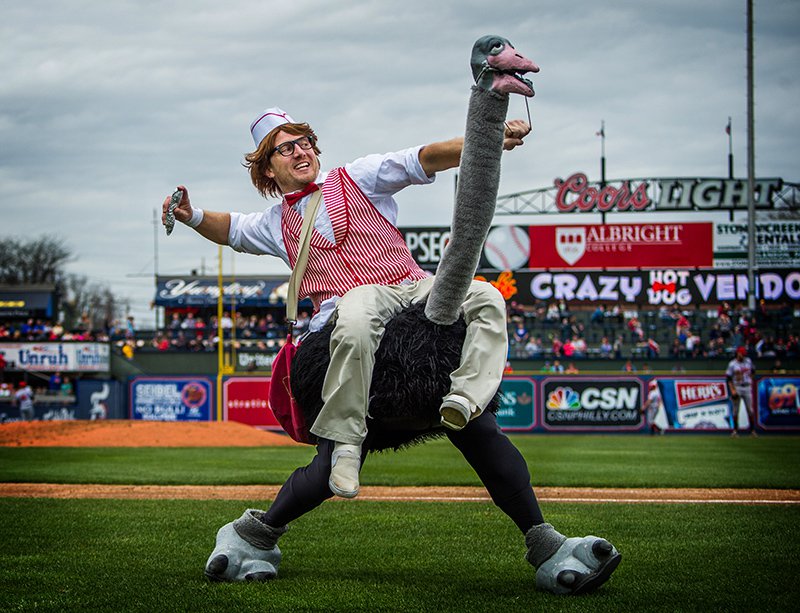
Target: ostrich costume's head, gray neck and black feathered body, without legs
(422,344)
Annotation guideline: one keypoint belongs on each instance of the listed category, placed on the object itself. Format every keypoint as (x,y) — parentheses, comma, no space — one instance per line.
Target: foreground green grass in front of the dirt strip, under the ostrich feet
(84,555)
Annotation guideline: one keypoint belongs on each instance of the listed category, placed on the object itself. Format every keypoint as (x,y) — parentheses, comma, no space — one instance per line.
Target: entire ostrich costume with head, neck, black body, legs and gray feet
(420,348)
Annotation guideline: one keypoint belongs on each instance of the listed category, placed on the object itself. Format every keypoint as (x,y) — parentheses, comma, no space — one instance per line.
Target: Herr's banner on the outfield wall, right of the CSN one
(697,404)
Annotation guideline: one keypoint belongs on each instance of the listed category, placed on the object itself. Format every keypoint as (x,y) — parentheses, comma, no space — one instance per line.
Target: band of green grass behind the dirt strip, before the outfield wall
(596,461)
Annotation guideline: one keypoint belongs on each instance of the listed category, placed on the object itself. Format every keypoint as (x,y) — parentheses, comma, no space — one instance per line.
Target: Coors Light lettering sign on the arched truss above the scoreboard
(576,193)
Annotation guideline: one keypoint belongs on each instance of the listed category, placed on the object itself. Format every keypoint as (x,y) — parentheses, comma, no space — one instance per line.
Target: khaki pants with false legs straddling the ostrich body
(361,315)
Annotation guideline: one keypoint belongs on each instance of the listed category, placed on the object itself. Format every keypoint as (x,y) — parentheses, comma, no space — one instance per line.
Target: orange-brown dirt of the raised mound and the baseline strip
(122,433)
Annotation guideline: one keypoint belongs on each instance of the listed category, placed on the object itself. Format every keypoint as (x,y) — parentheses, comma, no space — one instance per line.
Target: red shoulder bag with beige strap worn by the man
(283,405)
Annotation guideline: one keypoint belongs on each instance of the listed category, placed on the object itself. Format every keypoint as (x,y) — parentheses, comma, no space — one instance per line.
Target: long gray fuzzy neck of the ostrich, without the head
(476,195)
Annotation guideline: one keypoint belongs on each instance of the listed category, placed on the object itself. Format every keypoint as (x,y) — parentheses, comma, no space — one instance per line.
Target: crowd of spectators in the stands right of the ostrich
(554,331)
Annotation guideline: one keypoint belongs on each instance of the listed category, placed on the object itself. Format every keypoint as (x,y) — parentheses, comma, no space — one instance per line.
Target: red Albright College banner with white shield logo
(653,245)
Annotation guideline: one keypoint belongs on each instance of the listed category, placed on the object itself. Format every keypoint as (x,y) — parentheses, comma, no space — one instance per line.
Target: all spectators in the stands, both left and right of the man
(553,332)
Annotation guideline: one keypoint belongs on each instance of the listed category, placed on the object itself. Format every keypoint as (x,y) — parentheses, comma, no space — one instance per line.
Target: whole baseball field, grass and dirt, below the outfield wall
(121,516)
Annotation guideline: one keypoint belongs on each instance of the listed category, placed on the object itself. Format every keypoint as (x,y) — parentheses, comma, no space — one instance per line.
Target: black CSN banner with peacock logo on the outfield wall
(597,403)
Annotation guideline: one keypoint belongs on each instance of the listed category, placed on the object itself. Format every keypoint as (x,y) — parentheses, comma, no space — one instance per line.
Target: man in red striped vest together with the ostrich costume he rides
(393,356)
